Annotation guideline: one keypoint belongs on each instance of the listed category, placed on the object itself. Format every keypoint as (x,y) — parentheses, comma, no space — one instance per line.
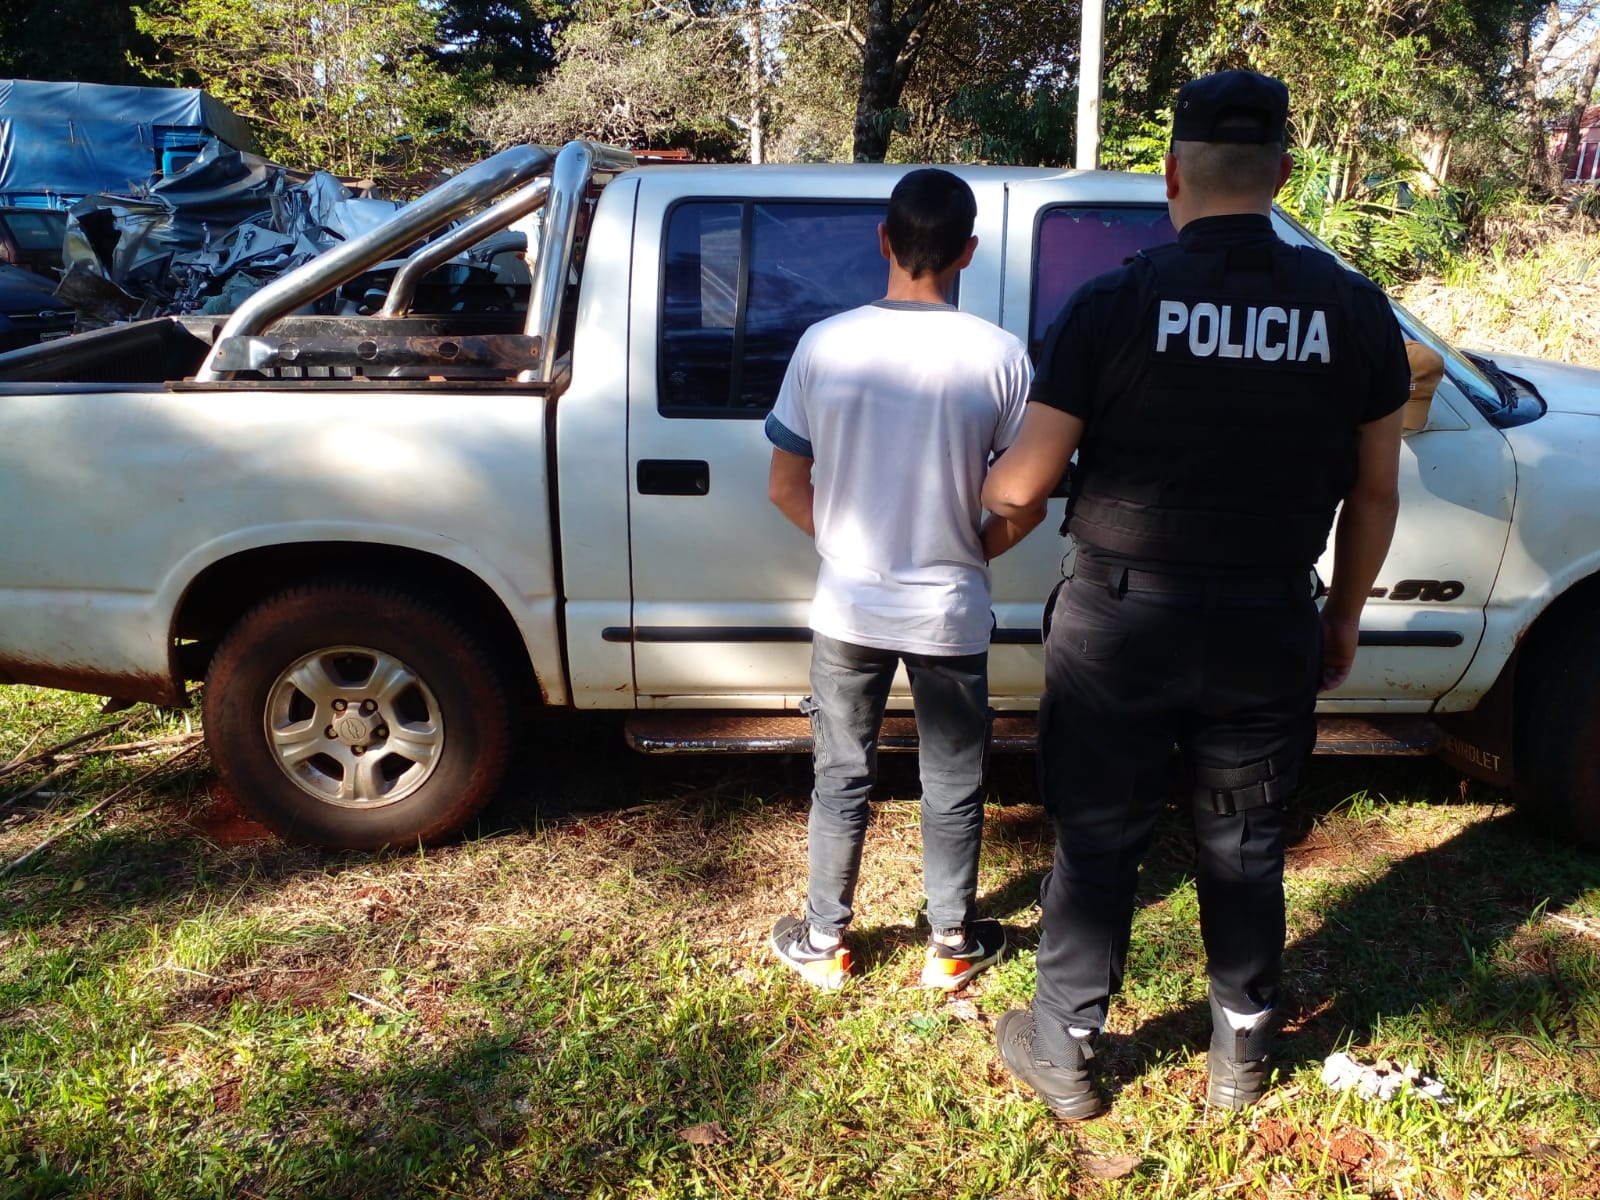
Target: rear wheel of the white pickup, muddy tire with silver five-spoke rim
(358,716)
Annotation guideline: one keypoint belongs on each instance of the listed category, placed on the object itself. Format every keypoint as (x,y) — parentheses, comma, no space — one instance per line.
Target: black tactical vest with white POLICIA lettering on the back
(1225,430)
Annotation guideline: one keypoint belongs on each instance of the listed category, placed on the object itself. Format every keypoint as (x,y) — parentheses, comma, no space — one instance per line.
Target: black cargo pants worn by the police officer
(1137,663)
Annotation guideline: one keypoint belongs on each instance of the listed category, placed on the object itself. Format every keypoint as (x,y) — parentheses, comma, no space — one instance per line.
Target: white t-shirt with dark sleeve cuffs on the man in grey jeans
(900,406)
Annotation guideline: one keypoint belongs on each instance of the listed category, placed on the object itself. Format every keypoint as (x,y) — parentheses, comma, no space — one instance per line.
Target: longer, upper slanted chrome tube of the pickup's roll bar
(470,190)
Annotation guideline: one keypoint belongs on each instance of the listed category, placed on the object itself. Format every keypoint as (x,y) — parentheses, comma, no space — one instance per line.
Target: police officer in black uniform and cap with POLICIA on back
(1225,394)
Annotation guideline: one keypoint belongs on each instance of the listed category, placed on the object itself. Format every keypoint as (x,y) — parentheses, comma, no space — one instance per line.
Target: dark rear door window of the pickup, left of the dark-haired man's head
(742,282)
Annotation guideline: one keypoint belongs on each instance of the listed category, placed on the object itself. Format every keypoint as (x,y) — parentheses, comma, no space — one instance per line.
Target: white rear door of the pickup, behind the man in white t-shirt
(724,287)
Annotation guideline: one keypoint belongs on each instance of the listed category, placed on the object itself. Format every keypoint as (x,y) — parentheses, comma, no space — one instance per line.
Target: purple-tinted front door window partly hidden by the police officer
(1078,242)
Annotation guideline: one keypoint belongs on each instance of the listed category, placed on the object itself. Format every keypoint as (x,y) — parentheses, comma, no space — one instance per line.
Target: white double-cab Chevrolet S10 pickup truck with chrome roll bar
(378,537)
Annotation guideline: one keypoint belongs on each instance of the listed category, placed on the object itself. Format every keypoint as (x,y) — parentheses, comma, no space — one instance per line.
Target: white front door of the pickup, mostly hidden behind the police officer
(1457,476)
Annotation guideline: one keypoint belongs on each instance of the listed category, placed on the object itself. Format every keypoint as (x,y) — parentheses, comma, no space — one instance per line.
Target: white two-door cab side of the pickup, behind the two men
(732,265)
